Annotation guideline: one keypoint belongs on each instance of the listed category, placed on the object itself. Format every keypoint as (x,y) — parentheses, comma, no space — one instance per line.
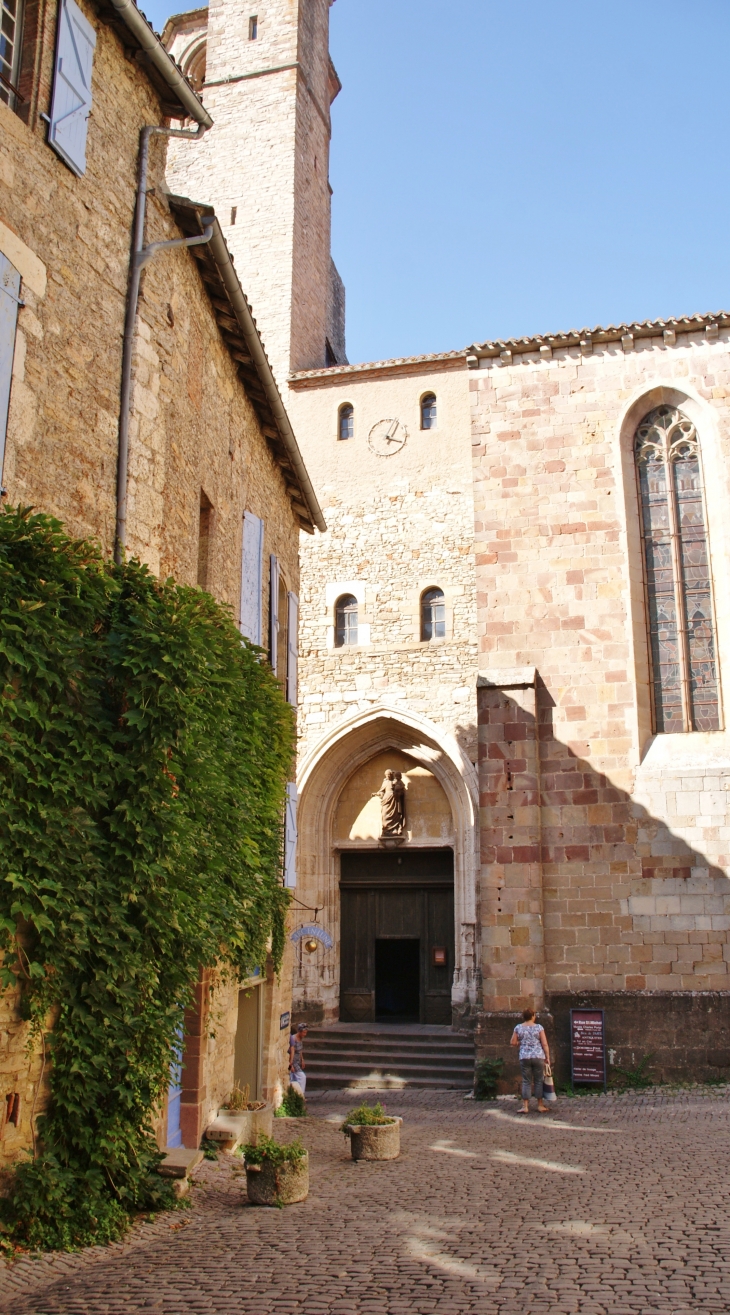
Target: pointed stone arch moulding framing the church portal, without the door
(323,777)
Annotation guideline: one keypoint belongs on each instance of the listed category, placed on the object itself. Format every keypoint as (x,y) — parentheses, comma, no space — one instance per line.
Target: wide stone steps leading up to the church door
(387,1057)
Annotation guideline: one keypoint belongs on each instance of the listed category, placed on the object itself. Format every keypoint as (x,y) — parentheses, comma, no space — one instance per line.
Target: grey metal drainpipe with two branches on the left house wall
(141,254)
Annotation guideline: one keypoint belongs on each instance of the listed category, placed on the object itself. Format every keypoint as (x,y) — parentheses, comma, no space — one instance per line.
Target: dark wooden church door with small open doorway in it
(397,936)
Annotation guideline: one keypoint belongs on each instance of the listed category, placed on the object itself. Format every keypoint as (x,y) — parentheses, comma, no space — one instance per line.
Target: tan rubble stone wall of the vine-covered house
(193,431)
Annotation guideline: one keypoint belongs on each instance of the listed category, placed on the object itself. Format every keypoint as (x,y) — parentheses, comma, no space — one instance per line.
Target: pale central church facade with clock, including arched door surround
(397,527)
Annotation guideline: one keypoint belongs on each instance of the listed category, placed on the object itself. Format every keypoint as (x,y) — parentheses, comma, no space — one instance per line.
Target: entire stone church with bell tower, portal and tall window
(520,606)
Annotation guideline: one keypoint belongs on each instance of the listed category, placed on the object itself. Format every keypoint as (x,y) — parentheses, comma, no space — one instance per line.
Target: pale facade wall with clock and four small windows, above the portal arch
(397,527)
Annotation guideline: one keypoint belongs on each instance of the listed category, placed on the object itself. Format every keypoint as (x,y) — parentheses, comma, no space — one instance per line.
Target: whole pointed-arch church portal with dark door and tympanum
(401,909)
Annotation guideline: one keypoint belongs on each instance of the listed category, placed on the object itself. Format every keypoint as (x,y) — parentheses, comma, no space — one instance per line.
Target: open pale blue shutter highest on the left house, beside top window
(72,87)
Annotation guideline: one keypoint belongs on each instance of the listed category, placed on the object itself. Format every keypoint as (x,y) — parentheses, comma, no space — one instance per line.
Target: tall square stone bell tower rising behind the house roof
(265,73)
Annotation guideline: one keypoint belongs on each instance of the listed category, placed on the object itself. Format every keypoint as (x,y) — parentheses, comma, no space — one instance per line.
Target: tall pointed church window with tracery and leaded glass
(677,574)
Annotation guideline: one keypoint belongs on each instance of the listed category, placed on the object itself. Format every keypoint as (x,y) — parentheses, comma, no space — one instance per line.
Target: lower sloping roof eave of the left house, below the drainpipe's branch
(240,333)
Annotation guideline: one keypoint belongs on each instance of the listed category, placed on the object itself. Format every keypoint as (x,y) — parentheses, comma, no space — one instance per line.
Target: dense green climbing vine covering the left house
(144,758)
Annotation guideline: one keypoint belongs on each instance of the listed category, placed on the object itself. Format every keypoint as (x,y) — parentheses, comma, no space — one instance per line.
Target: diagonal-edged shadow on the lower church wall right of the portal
(635,919)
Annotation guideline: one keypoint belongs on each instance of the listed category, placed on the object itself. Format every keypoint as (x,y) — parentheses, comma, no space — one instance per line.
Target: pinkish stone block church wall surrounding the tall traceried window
(627,832)
